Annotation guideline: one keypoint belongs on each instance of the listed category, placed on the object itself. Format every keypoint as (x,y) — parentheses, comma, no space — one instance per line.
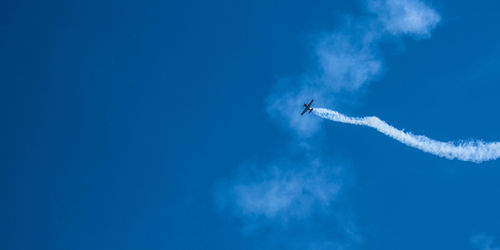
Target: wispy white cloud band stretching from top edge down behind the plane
(348,60)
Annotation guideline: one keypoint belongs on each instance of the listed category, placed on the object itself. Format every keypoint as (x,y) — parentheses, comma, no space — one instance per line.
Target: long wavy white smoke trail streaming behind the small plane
(474,151)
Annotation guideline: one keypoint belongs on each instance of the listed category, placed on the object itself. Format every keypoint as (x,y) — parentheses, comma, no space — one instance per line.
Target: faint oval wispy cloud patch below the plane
(282,190)
